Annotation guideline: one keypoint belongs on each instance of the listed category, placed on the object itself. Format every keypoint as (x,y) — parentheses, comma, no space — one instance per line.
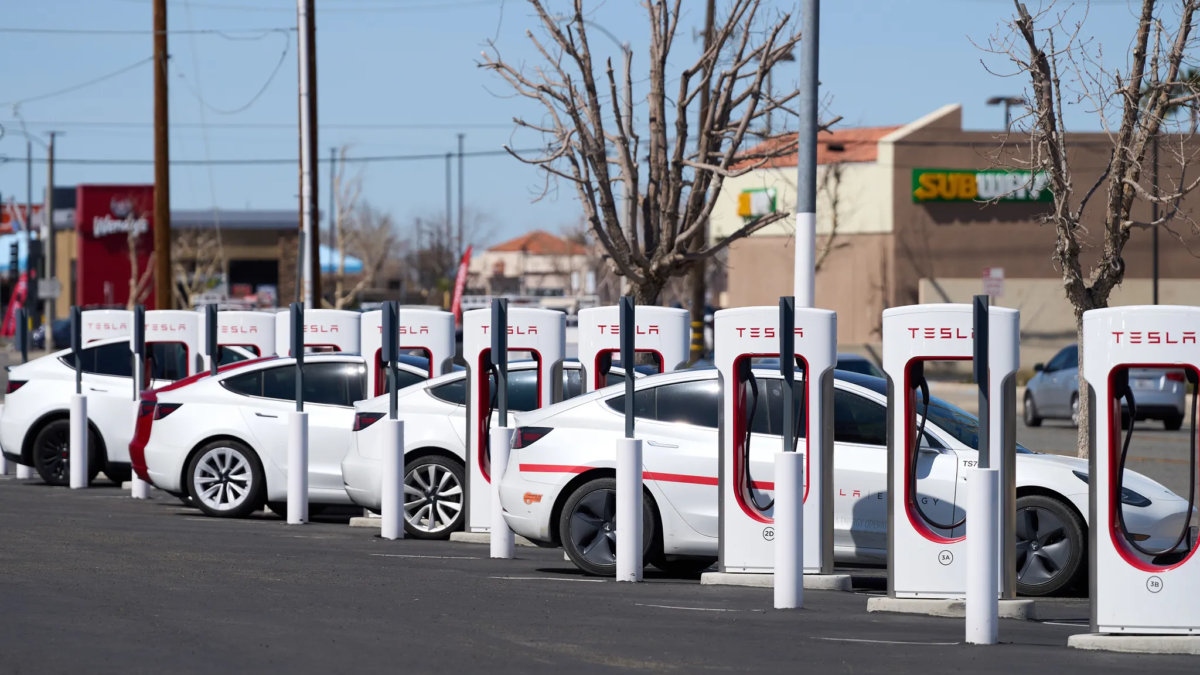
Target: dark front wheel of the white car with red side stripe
(1051,546)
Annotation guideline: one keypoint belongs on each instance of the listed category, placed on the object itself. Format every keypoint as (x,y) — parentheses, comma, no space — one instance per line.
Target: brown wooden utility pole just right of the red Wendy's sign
(164,280)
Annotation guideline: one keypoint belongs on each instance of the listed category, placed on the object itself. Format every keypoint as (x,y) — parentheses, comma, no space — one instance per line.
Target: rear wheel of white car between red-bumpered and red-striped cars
(435,498)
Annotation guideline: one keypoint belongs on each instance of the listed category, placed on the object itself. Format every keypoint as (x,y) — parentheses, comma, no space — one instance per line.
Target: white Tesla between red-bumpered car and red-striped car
(435,445)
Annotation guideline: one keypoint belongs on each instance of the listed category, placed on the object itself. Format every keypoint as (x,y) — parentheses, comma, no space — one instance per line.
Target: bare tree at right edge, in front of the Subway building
(1065,68)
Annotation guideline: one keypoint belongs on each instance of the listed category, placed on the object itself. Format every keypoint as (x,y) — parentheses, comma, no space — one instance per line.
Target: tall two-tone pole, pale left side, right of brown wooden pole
(310,230)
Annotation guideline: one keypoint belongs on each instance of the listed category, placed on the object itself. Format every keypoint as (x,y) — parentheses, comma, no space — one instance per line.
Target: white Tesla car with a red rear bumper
(224,440)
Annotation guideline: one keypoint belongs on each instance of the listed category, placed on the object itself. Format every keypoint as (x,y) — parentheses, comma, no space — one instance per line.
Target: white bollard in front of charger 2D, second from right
(789,516)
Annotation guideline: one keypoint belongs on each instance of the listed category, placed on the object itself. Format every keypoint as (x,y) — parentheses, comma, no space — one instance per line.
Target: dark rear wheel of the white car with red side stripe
(589,528)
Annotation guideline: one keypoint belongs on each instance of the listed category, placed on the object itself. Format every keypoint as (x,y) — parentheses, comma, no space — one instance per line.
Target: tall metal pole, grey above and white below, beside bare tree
(807,158)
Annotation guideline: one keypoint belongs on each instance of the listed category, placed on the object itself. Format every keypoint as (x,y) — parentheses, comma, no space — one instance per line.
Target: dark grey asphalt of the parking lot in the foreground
(94,582)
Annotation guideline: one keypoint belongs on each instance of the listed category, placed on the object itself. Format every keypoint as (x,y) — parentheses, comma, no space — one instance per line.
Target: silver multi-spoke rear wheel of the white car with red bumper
(226,480)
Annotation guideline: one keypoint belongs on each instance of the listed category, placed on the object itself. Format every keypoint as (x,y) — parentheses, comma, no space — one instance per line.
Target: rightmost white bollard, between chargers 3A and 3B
(983,555)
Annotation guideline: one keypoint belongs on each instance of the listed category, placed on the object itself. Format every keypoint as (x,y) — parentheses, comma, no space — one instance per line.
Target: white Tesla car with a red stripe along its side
(560,485)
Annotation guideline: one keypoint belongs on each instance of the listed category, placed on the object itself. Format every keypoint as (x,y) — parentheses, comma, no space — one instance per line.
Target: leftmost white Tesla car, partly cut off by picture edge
(34,427)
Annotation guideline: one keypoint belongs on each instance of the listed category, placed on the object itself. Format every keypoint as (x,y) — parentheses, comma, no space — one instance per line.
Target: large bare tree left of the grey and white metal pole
(687,158)
